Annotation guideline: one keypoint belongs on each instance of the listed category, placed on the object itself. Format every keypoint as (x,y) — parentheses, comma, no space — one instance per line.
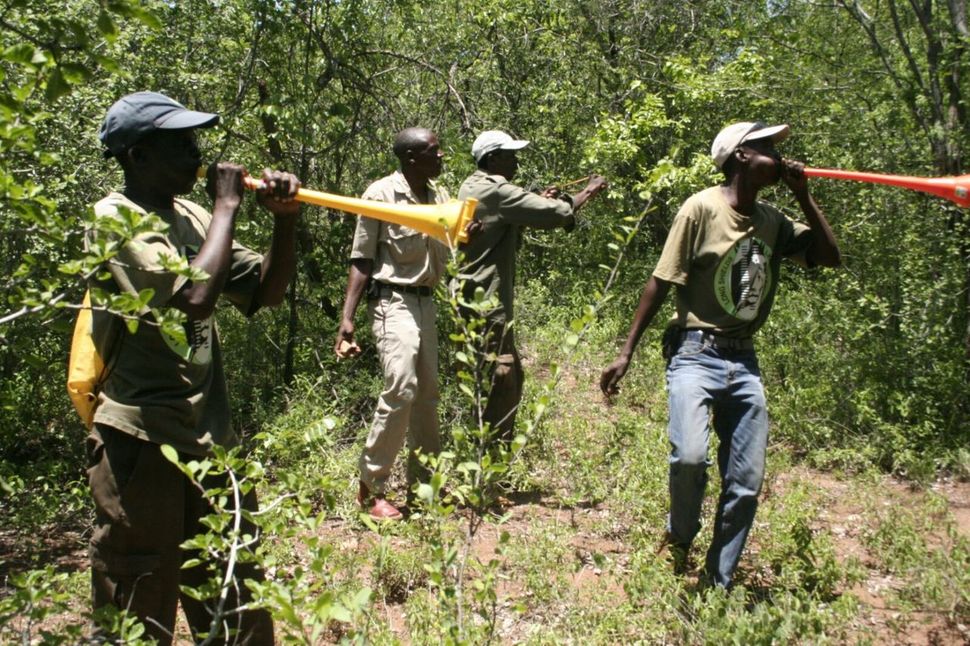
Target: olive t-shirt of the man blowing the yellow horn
(159,389)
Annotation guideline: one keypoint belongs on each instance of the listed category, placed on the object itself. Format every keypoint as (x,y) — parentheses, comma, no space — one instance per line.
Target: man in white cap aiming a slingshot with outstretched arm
(503,208)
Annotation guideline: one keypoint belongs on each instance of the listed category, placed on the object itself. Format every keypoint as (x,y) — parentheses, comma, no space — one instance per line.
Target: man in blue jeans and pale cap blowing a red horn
(724,254)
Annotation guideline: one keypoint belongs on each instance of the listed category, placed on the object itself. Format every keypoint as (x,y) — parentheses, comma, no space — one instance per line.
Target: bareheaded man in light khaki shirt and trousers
(402,267)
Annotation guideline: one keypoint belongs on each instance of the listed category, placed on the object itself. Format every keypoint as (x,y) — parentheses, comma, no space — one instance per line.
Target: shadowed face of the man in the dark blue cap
(169,159)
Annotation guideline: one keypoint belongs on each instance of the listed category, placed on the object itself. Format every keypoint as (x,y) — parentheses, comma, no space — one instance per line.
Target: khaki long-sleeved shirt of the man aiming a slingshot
(490,254)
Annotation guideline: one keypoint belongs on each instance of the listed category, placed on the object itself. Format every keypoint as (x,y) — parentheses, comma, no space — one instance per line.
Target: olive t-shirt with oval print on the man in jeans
(725,264)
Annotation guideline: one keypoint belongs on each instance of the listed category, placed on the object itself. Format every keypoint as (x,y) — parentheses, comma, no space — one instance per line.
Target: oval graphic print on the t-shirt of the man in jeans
(743,278)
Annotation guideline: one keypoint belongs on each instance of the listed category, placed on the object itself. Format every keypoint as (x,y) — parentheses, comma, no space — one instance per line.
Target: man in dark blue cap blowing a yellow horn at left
(165,390)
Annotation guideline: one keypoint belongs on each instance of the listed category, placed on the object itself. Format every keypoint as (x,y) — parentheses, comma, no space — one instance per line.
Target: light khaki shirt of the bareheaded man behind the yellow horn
(401,255)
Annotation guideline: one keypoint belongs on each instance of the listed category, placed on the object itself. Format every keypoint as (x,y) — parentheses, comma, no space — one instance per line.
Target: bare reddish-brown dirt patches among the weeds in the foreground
(844,516)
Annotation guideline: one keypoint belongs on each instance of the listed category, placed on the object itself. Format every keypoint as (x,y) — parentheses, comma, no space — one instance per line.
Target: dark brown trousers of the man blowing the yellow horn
(145,508)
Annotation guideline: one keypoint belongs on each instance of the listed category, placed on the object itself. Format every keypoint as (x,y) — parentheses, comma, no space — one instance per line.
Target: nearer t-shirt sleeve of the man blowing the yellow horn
(138,263)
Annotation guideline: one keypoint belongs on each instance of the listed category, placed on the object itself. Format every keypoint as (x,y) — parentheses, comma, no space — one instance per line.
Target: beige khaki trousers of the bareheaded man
(407,343)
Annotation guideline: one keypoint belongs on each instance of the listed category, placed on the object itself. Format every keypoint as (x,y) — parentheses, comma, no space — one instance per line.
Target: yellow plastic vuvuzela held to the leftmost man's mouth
(445,222)
